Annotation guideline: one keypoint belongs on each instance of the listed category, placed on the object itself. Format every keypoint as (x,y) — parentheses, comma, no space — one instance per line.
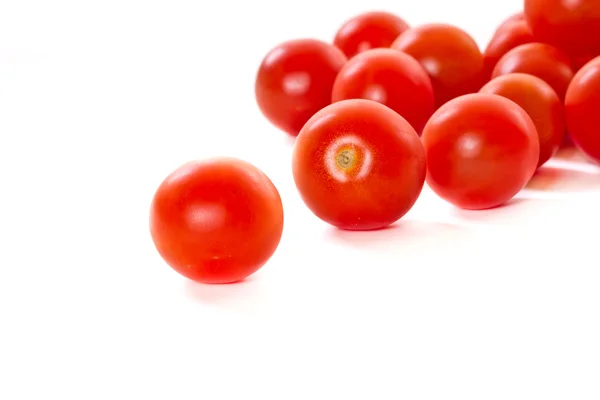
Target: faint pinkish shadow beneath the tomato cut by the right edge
(572,178)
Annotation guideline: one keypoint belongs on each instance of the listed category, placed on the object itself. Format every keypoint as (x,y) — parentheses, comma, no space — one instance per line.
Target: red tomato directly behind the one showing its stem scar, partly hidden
(392,78)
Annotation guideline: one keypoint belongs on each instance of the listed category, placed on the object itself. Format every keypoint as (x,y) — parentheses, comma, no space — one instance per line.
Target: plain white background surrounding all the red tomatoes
(100,100)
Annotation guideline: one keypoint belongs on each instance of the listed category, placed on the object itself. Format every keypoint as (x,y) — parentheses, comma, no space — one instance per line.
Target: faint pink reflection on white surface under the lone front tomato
(242,296)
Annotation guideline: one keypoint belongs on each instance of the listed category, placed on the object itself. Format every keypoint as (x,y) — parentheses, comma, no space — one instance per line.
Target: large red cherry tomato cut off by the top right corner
(573,26)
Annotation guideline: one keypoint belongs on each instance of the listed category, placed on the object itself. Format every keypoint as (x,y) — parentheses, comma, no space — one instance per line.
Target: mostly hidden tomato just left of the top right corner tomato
(510,35)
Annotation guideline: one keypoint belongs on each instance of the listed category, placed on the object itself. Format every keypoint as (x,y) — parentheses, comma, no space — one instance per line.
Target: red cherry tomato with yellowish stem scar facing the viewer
(358,165)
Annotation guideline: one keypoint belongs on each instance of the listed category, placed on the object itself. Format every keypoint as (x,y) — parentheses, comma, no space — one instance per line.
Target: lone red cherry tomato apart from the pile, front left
(216,221)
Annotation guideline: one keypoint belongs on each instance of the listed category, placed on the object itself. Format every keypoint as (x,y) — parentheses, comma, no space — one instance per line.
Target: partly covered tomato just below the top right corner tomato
(542,60)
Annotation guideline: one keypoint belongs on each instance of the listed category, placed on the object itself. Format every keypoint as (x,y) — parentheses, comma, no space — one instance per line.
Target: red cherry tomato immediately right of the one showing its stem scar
(481,150)
